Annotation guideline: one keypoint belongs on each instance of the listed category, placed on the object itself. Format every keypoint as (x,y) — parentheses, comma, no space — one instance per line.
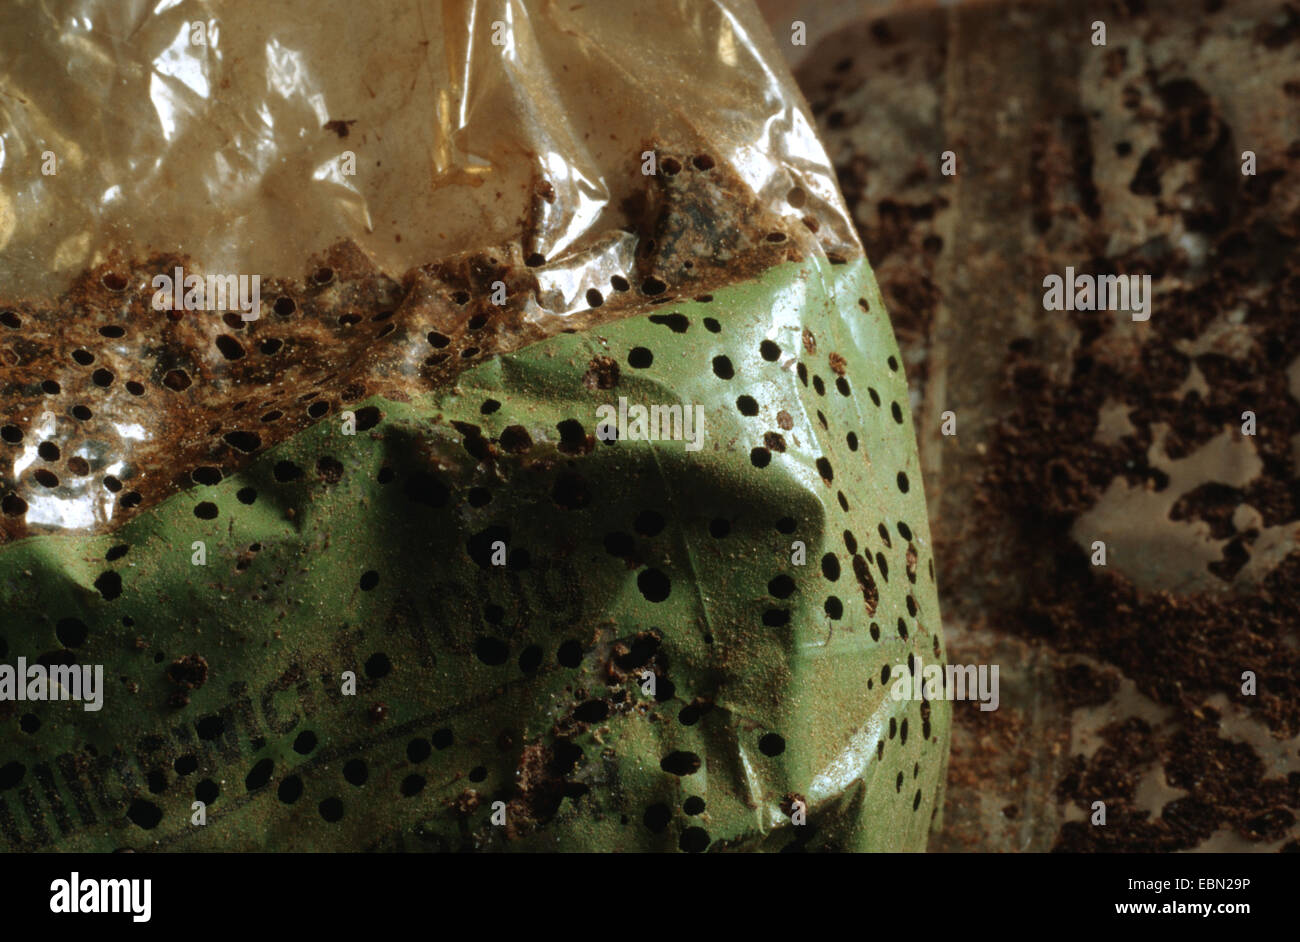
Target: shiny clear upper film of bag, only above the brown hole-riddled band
(220,151)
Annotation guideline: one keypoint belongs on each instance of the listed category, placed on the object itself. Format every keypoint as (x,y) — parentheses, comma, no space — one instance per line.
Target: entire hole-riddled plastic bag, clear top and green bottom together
(365,571)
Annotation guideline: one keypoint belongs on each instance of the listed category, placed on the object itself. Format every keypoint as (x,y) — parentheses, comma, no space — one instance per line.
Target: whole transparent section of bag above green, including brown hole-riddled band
(344,154)
